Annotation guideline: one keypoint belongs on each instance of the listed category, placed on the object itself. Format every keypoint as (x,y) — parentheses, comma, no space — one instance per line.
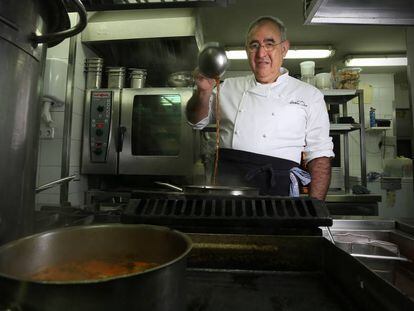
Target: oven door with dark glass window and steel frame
(156,137)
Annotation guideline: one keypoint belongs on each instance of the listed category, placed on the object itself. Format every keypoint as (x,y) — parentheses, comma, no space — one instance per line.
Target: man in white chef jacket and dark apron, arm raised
(269,120)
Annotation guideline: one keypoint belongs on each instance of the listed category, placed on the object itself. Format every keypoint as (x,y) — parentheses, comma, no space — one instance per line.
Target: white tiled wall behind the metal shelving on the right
(383,101)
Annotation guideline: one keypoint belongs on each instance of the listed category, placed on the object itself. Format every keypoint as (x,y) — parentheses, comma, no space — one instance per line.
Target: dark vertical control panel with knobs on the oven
(100,124)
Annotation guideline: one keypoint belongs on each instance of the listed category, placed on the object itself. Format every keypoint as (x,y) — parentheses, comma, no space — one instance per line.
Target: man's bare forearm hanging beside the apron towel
(320,171)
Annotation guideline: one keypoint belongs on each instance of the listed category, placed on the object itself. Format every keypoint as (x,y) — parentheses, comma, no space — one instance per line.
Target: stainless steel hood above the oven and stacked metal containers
(159,40)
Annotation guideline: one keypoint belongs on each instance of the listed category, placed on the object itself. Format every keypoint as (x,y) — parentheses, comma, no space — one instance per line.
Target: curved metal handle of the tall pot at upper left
(68,32)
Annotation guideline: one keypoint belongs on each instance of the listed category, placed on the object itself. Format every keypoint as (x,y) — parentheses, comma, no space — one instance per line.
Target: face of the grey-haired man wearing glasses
(266,51)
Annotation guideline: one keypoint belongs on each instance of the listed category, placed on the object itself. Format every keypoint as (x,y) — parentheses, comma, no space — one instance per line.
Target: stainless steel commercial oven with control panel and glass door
(138,132)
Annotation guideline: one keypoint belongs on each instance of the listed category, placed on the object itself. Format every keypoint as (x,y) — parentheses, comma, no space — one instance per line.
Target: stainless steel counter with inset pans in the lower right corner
(397,268)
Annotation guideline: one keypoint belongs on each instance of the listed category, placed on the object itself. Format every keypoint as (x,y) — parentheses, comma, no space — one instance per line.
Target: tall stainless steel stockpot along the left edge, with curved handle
(27,28)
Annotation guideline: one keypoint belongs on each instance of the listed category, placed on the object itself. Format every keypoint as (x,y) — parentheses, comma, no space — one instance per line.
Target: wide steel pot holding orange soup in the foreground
(156,289)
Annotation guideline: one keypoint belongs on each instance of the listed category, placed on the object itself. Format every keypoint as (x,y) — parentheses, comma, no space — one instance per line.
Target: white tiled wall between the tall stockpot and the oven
(50,151)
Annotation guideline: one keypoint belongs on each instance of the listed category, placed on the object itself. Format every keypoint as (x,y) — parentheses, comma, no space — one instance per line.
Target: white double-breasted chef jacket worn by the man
(279,119)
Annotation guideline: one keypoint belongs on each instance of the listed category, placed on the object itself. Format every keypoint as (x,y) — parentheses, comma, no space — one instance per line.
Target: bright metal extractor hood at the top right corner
(375,12)
